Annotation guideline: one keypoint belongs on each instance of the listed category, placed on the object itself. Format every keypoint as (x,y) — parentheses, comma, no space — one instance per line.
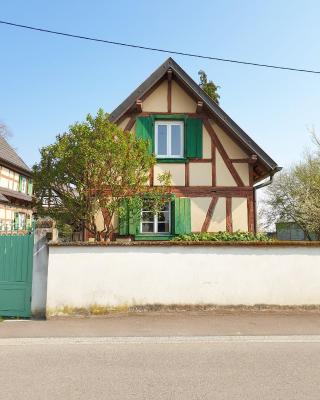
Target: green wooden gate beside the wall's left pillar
(16,261)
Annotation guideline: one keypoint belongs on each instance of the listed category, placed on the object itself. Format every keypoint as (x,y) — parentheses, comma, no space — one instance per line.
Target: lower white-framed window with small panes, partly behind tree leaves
(155,223)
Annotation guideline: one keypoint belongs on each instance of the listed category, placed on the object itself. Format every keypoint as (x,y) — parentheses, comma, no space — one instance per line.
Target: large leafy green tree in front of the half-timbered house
(95,168)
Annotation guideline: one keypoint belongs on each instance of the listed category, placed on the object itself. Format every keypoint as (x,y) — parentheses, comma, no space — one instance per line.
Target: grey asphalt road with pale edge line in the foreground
(160,368)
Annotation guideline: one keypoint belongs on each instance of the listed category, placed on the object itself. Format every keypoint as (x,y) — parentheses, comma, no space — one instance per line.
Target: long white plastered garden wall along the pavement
(108,276)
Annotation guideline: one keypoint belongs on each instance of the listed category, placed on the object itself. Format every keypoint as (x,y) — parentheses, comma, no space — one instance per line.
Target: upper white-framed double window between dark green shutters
(169,141)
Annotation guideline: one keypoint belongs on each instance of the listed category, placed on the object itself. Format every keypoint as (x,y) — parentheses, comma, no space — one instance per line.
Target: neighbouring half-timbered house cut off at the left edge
(15,189)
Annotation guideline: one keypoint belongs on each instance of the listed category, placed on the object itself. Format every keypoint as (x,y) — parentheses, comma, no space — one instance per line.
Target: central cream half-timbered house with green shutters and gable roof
(213,163)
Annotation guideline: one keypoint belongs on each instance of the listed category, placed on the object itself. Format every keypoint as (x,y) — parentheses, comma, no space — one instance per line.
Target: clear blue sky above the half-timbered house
(48,82)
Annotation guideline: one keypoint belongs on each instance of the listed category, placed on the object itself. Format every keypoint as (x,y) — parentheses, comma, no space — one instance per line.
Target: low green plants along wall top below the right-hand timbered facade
(224,237)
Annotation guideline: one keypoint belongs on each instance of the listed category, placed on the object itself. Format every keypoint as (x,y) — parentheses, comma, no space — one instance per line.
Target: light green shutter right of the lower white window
(181,216)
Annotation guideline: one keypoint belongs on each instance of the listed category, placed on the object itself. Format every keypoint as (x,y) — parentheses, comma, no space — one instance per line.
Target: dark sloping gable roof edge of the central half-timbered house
(201,95)
